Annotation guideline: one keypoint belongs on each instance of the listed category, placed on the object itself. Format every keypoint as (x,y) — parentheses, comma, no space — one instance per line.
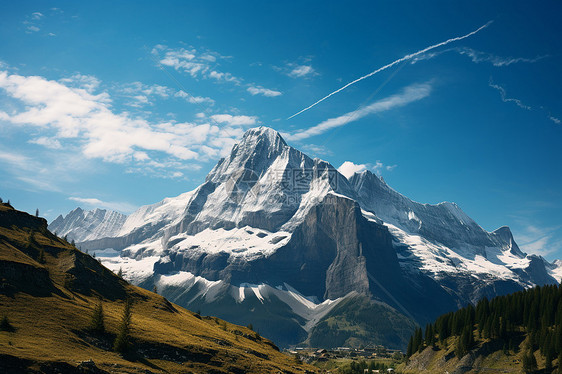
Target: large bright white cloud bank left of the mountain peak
(85,121)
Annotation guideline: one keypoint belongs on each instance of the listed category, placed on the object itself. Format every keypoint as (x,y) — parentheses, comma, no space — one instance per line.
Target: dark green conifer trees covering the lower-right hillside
(534,313)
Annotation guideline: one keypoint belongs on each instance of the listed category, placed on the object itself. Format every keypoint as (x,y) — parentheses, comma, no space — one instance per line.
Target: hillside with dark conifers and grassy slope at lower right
(521,332)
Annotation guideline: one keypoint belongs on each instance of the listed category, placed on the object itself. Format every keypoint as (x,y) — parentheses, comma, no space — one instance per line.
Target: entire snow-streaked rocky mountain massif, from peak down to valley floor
(284,242)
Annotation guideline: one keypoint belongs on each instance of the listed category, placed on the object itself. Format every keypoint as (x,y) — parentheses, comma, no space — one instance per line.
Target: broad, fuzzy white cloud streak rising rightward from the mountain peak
(410,94)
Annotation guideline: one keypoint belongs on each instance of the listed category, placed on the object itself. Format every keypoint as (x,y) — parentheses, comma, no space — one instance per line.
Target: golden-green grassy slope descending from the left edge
(49,291)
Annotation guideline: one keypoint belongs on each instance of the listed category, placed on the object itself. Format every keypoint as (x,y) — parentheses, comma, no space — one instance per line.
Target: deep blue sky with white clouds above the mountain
(120,104)
